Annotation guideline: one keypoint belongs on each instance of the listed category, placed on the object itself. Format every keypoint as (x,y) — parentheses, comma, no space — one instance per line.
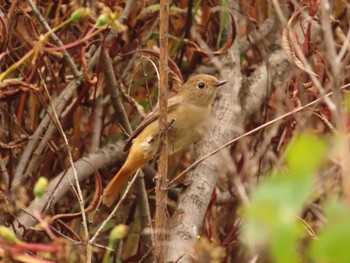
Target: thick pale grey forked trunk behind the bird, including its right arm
(232,106)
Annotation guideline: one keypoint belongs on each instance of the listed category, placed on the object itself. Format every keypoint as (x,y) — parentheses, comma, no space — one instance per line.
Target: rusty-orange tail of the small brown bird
(134,162)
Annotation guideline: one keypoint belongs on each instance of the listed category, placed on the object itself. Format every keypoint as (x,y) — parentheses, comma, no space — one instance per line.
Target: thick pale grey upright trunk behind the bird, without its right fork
(227,122)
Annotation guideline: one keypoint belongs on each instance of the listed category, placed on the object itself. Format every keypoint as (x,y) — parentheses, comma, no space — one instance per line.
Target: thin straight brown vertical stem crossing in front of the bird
(161,183)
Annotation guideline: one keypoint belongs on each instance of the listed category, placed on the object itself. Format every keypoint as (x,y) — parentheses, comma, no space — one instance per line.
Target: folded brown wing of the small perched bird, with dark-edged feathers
(153,116)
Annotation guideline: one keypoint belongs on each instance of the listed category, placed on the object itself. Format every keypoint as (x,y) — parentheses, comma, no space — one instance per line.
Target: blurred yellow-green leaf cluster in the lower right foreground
(270,220)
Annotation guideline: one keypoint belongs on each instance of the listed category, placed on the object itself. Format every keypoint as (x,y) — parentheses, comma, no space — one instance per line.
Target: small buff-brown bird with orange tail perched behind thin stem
(190,109)
